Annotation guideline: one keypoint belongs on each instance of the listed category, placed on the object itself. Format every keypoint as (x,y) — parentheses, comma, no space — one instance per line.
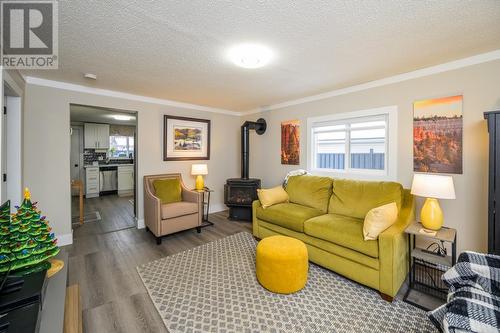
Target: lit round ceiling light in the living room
(250,55)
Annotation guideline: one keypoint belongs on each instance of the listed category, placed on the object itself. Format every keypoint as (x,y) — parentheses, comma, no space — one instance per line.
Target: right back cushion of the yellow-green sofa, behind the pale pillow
(355,198)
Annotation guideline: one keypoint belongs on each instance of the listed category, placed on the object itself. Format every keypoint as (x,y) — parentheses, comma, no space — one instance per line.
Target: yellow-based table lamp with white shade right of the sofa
(432,187)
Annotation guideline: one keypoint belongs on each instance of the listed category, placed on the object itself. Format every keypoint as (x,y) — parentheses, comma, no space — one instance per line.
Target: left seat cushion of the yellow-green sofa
(287,215)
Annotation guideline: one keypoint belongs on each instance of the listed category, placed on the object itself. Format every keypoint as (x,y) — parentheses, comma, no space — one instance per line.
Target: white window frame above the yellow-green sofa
(391,159)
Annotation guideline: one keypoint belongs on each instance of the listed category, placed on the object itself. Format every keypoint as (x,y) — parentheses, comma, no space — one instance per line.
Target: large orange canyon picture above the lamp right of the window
(437,135)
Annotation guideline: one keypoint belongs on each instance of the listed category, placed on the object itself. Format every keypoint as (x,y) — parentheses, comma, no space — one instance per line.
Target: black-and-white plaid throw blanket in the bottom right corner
(474,295)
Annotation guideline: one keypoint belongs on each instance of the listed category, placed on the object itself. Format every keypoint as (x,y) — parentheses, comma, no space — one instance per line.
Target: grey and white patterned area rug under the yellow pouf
(213,288)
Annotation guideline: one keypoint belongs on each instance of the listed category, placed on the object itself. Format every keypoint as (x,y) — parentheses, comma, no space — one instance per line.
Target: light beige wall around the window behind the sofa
(479,86)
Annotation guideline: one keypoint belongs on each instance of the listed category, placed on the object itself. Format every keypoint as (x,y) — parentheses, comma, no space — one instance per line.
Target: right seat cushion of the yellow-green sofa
(341,230)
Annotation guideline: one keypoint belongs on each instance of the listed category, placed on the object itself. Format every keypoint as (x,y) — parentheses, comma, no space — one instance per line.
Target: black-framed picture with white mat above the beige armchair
(186,139)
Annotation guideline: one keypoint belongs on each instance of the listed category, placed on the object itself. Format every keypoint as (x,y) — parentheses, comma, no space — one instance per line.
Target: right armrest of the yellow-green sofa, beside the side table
(393,249)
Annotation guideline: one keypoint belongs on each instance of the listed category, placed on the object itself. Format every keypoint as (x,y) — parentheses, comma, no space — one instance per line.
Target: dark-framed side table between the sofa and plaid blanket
(426,266)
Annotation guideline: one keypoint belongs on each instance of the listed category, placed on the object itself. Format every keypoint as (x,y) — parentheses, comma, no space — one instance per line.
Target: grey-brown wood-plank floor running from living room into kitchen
(103,262)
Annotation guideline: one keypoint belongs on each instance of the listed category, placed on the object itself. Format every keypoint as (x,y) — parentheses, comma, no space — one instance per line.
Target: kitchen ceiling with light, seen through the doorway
(91,114)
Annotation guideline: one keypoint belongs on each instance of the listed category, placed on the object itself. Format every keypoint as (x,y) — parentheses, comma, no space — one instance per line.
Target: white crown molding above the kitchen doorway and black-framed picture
(118,94)
